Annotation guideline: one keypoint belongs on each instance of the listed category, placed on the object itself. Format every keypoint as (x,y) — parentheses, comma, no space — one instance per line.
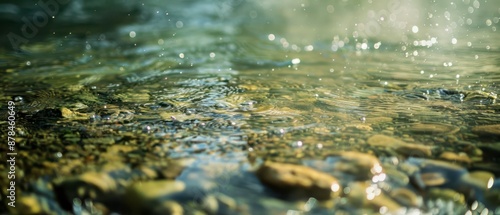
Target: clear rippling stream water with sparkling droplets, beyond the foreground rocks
(308,75)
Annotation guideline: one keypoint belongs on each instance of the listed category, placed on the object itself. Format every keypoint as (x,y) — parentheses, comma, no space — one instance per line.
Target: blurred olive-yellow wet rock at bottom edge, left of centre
(154,197)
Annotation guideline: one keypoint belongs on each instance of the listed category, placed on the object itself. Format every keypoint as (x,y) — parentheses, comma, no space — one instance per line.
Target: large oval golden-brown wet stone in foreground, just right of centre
(299,181)
